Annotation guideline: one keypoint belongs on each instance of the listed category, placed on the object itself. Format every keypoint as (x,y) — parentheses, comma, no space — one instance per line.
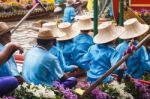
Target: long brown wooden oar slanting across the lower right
(99,81)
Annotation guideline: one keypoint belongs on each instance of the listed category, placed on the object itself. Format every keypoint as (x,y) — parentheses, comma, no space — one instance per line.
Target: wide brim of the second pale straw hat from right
(102,38)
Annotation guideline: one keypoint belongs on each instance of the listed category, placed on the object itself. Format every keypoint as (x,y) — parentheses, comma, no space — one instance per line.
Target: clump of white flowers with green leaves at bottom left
(30,91)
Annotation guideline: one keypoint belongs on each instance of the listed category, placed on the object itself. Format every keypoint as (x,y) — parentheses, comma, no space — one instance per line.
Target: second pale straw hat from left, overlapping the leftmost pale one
(70,31)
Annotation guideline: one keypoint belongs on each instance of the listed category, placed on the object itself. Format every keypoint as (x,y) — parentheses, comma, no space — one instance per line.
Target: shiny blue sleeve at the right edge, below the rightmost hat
(145,61)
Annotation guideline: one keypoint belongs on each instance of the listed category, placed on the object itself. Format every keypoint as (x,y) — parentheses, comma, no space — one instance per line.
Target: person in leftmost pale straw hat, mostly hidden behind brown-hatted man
(54,49)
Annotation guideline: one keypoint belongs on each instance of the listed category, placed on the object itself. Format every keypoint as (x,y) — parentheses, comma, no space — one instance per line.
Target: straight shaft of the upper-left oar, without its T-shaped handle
(25,17)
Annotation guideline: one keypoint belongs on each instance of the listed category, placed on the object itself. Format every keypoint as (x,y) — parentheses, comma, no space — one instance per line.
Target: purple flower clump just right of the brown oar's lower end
(99,94)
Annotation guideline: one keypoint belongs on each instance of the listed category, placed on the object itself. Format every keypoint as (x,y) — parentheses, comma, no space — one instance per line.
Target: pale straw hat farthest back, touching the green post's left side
(84,22)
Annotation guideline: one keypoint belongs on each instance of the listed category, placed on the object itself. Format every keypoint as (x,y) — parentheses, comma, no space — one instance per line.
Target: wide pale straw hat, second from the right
(107,32)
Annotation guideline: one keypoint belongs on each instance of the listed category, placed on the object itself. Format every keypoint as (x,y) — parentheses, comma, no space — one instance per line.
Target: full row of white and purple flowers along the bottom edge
(129,89)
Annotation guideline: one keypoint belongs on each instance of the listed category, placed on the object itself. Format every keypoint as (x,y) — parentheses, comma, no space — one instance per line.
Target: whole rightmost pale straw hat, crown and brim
(133,28)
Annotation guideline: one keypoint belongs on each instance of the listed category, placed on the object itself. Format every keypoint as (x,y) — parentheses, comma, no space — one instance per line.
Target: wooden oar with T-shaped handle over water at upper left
(29,12)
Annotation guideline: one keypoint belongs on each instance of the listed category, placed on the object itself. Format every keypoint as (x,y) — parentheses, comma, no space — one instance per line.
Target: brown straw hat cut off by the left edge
(4,28)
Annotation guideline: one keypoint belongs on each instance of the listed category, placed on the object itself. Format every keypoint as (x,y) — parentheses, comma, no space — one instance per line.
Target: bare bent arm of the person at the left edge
(7,52)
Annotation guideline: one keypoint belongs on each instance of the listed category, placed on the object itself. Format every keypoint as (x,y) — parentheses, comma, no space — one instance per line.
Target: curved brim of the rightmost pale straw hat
(129,34)
